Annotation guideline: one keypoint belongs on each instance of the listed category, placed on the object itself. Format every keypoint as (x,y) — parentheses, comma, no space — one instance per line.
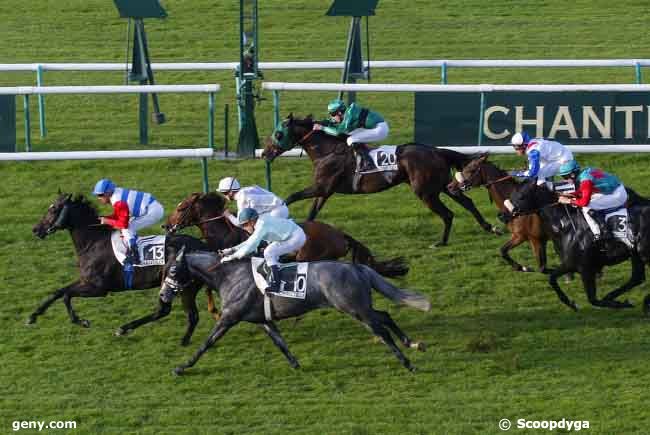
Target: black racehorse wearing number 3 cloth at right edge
(579,252)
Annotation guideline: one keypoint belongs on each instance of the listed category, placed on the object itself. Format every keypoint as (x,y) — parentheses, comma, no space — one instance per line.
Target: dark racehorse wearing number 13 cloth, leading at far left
(99,270)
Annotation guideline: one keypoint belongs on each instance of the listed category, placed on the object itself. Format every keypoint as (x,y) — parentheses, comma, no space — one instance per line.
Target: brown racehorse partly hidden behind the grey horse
(206,210)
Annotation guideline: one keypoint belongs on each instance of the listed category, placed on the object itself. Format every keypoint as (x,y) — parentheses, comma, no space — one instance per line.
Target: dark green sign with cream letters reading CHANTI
(452,118)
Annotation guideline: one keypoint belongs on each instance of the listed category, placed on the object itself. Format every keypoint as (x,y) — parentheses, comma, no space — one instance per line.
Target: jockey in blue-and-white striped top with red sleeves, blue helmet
(132,210)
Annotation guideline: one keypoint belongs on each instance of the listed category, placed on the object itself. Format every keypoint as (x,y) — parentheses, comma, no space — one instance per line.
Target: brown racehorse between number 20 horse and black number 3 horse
(500,186)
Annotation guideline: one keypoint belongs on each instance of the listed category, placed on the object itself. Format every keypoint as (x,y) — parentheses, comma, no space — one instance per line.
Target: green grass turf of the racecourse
(500,343)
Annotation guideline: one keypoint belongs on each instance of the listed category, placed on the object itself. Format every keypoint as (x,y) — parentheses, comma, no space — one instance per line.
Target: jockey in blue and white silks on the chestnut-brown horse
(544,157)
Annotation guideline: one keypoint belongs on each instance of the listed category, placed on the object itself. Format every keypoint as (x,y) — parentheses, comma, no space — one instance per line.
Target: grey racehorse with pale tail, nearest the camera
(344,286)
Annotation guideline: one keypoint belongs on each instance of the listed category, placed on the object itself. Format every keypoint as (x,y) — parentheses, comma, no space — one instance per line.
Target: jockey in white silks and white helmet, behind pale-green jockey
(262,201)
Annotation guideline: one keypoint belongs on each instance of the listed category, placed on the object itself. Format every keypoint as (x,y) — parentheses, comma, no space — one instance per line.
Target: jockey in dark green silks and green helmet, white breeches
(362,126)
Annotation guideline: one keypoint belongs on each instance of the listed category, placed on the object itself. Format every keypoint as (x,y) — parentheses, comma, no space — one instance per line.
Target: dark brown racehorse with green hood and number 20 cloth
(424,167)
